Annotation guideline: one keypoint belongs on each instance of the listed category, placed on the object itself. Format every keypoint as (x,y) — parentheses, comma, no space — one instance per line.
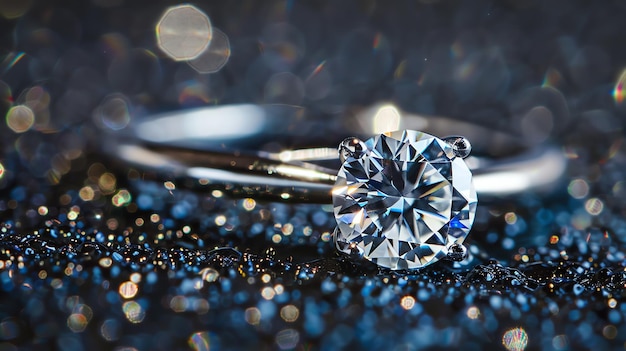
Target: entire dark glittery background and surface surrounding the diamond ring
(73,72)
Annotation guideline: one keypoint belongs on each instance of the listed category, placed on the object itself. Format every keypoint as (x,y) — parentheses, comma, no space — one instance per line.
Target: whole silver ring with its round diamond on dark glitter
(402,199)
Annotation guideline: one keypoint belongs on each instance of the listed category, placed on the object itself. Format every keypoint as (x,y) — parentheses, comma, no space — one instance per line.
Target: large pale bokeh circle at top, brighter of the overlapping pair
(184,32)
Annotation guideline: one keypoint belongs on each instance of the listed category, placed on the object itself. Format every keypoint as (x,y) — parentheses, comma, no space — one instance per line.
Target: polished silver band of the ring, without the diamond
(270,151)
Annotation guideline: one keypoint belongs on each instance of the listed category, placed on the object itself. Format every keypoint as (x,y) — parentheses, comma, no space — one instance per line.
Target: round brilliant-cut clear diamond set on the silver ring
(404,201)
